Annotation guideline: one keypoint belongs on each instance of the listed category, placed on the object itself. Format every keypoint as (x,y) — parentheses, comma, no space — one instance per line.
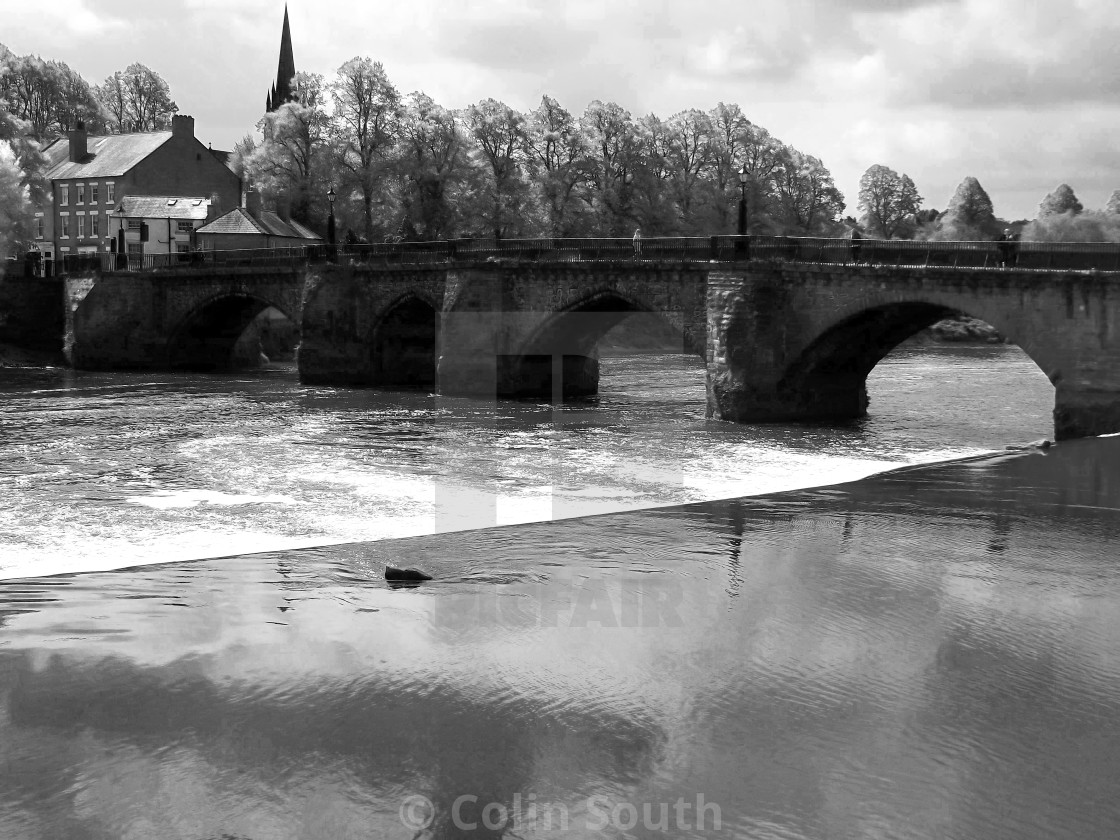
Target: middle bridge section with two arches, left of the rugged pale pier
(505,331)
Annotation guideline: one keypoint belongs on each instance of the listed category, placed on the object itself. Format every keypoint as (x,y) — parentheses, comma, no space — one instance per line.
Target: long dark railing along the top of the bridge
(1059,256)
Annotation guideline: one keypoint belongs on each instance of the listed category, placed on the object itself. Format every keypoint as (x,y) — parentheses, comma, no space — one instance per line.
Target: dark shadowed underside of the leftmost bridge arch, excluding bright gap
(206,338)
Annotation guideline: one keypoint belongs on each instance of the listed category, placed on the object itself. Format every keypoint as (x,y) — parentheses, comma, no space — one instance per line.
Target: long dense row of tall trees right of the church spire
(408,169)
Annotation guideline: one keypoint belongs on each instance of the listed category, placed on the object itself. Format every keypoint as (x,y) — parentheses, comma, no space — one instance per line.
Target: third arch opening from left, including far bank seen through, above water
(562,363)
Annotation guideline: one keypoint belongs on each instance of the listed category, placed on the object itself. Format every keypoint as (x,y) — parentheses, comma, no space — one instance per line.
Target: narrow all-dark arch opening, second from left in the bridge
(406,348)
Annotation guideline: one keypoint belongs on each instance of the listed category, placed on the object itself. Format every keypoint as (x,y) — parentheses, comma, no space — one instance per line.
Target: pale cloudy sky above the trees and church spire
(1023,96)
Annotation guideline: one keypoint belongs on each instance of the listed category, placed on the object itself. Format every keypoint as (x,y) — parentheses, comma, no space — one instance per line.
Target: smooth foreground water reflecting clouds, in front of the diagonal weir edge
(848,662)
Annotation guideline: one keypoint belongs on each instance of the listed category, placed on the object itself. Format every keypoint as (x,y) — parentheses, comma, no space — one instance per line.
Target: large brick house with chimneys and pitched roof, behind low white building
(90,178)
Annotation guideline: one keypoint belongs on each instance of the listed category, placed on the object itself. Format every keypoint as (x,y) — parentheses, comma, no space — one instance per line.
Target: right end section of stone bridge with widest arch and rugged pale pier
(797,342)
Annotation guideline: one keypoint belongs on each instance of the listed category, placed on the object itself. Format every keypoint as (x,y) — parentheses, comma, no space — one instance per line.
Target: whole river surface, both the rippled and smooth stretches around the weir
(927,654)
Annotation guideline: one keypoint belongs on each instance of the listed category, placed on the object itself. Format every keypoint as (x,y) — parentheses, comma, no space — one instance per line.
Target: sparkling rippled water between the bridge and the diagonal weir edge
(106,471)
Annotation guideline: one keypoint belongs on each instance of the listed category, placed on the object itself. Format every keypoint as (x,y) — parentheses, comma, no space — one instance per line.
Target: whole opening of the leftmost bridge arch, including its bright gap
(234,332)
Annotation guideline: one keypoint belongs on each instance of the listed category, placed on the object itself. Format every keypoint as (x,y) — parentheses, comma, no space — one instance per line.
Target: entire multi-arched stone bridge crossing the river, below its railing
(782,341)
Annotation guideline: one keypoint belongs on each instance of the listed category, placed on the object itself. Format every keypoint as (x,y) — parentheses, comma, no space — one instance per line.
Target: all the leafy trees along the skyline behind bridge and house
(408,169)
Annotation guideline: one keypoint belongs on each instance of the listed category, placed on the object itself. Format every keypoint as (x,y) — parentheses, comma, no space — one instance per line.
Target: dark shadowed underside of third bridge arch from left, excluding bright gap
(566,347)
